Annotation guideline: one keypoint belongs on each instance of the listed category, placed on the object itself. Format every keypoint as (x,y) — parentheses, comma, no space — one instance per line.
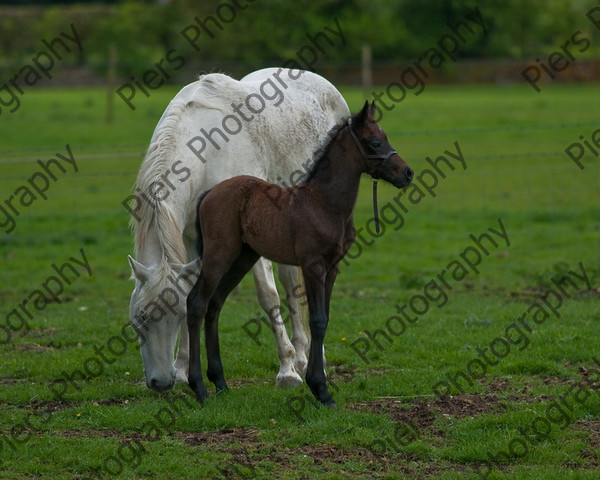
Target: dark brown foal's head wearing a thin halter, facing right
(381,160)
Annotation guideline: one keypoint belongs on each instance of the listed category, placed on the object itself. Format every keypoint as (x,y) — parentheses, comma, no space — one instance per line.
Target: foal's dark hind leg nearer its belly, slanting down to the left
(230,280)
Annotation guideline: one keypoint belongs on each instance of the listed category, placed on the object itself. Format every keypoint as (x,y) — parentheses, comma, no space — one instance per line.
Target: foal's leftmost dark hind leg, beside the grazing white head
(196,310)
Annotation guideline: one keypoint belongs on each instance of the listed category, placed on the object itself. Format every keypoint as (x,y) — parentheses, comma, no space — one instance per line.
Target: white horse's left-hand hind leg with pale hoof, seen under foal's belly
(269,301)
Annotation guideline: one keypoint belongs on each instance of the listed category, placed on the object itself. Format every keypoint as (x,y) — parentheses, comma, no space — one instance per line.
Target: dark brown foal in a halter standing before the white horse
(310,225)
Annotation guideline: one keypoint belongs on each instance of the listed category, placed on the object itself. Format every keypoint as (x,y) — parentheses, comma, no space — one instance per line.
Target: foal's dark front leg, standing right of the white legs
(315,276)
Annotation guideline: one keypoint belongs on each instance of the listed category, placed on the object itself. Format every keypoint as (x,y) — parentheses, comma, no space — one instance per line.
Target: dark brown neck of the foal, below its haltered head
(336,177)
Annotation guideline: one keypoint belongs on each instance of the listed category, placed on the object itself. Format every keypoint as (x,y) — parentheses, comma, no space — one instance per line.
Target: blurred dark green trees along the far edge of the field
(265,32)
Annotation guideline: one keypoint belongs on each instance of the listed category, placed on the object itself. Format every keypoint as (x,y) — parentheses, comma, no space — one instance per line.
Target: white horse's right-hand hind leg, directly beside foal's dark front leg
(289,276)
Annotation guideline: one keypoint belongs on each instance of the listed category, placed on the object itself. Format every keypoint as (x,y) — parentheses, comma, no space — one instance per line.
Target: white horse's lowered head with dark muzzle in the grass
(157,307)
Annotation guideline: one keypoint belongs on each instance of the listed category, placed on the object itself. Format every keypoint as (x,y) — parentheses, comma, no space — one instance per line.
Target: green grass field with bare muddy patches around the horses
(537,399)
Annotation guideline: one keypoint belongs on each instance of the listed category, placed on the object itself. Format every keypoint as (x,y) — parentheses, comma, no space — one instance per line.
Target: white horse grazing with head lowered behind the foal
(269,125)
